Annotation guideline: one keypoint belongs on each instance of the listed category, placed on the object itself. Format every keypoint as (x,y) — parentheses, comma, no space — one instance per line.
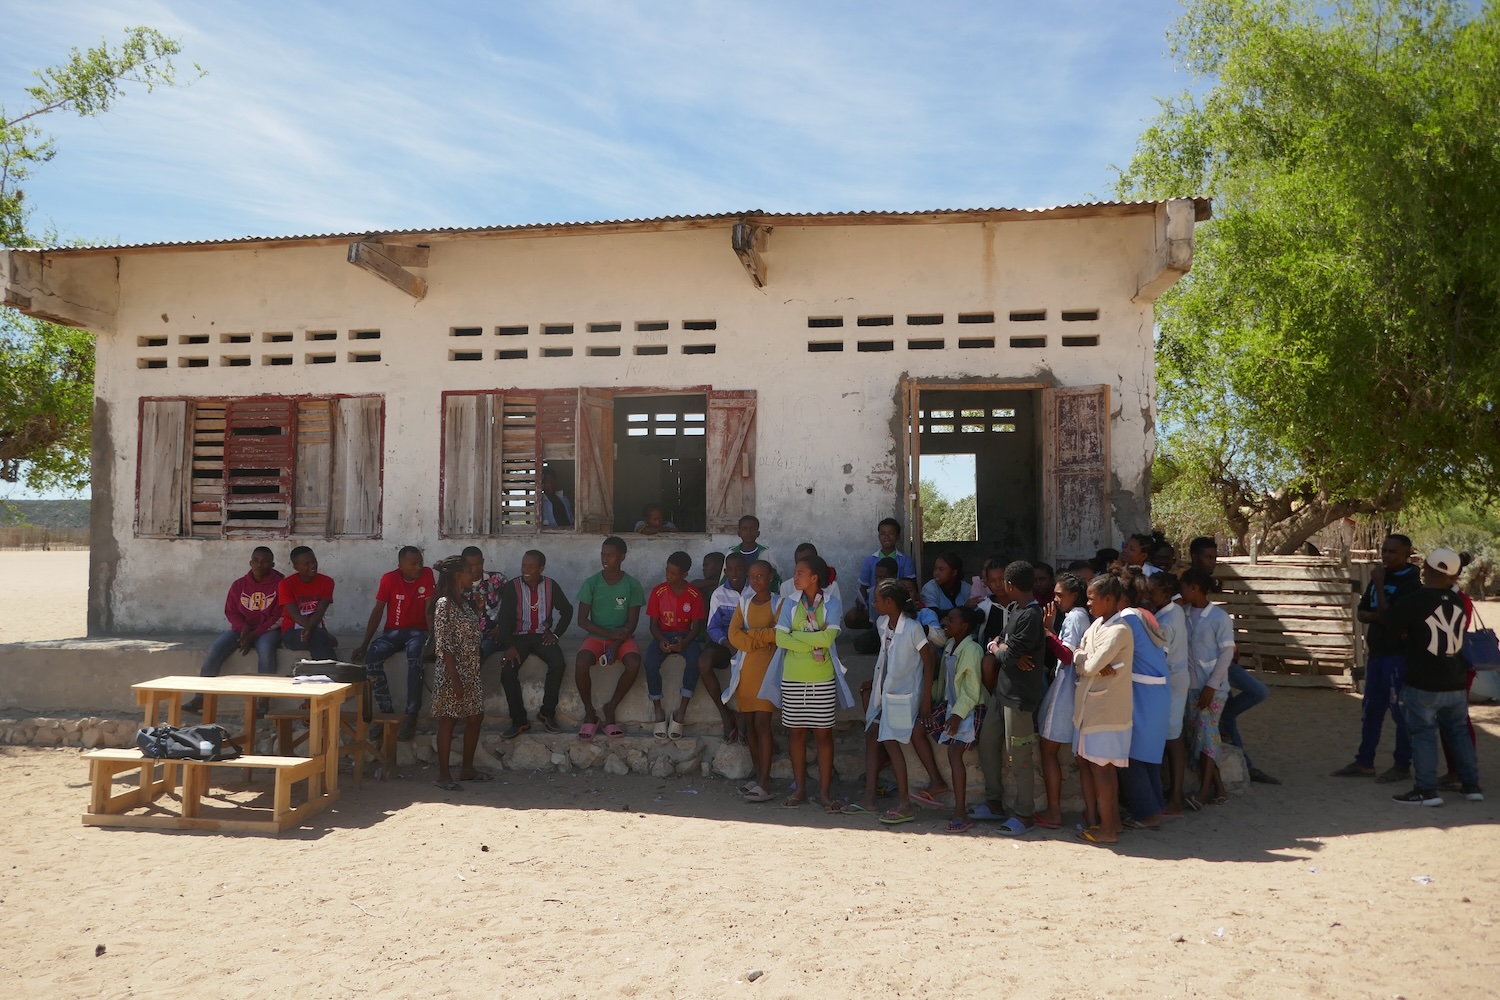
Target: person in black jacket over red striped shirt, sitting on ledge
(526,627)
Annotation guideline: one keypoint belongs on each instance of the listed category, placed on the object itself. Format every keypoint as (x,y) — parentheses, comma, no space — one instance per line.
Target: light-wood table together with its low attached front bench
(163,702)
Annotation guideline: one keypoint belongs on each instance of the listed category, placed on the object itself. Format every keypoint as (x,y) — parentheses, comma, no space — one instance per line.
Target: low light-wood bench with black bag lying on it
(107,807)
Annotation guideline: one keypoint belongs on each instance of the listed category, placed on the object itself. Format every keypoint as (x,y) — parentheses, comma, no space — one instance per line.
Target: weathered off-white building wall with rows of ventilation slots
(827,457)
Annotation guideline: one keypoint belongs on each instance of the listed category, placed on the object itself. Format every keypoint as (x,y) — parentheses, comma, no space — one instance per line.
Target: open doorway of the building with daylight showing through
(979,466)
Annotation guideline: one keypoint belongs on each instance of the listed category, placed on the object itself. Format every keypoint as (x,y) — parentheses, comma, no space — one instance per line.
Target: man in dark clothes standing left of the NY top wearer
(1385,665)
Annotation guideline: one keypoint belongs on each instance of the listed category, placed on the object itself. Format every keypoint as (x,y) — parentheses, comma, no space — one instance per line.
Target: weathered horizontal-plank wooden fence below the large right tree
(1295,614)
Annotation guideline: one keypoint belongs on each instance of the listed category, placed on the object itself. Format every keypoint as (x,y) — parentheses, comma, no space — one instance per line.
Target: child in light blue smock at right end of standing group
(1211,650)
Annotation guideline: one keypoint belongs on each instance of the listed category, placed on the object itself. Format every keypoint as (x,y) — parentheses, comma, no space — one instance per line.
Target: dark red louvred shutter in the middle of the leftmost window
(259,454)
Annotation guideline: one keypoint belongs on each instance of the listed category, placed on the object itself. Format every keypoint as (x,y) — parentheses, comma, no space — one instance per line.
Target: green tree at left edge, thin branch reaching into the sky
(47,370)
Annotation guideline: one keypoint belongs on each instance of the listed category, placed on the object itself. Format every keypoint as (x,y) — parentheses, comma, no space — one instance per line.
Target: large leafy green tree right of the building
(1336,349)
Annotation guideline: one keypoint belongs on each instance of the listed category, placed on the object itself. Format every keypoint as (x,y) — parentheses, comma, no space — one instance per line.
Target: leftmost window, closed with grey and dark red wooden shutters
(260,467)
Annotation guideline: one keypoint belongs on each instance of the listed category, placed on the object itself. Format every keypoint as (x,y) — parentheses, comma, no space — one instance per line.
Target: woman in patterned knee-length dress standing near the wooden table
(457,689)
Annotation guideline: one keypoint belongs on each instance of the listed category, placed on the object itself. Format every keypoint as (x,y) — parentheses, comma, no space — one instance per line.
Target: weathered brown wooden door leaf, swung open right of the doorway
(1076,475)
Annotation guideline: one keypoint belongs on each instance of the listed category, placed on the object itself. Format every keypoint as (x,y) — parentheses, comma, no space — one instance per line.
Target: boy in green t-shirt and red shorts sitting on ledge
(610,611)
